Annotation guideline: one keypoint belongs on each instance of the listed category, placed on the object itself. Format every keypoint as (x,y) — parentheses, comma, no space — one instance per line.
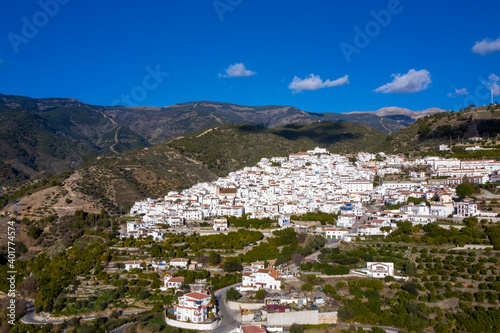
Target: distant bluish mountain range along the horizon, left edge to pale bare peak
(51,135)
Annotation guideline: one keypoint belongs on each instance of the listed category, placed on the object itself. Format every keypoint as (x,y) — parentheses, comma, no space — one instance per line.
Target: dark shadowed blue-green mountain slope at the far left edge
(53,135)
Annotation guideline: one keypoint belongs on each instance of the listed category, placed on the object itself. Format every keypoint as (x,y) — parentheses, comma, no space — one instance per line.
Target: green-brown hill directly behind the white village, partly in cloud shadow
(118,181)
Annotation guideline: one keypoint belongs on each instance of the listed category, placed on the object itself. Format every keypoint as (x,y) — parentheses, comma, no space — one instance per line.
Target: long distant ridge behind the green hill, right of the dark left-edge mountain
(161,124)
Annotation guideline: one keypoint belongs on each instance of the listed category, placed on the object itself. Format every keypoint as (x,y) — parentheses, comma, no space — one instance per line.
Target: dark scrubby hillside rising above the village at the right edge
(445,128)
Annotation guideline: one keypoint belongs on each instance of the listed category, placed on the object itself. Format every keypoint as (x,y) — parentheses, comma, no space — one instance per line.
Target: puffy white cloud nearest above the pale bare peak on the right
(409,83)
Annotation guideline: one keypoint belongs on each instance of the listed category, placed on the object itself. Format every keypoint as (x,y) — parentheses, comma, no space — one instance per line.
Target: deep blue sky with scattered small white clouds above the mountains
(319,56)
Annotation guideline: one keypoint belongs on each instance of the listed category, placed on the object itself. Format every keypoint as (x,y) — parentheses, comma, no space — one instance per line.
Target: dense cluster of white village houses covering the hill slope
(317,181)
